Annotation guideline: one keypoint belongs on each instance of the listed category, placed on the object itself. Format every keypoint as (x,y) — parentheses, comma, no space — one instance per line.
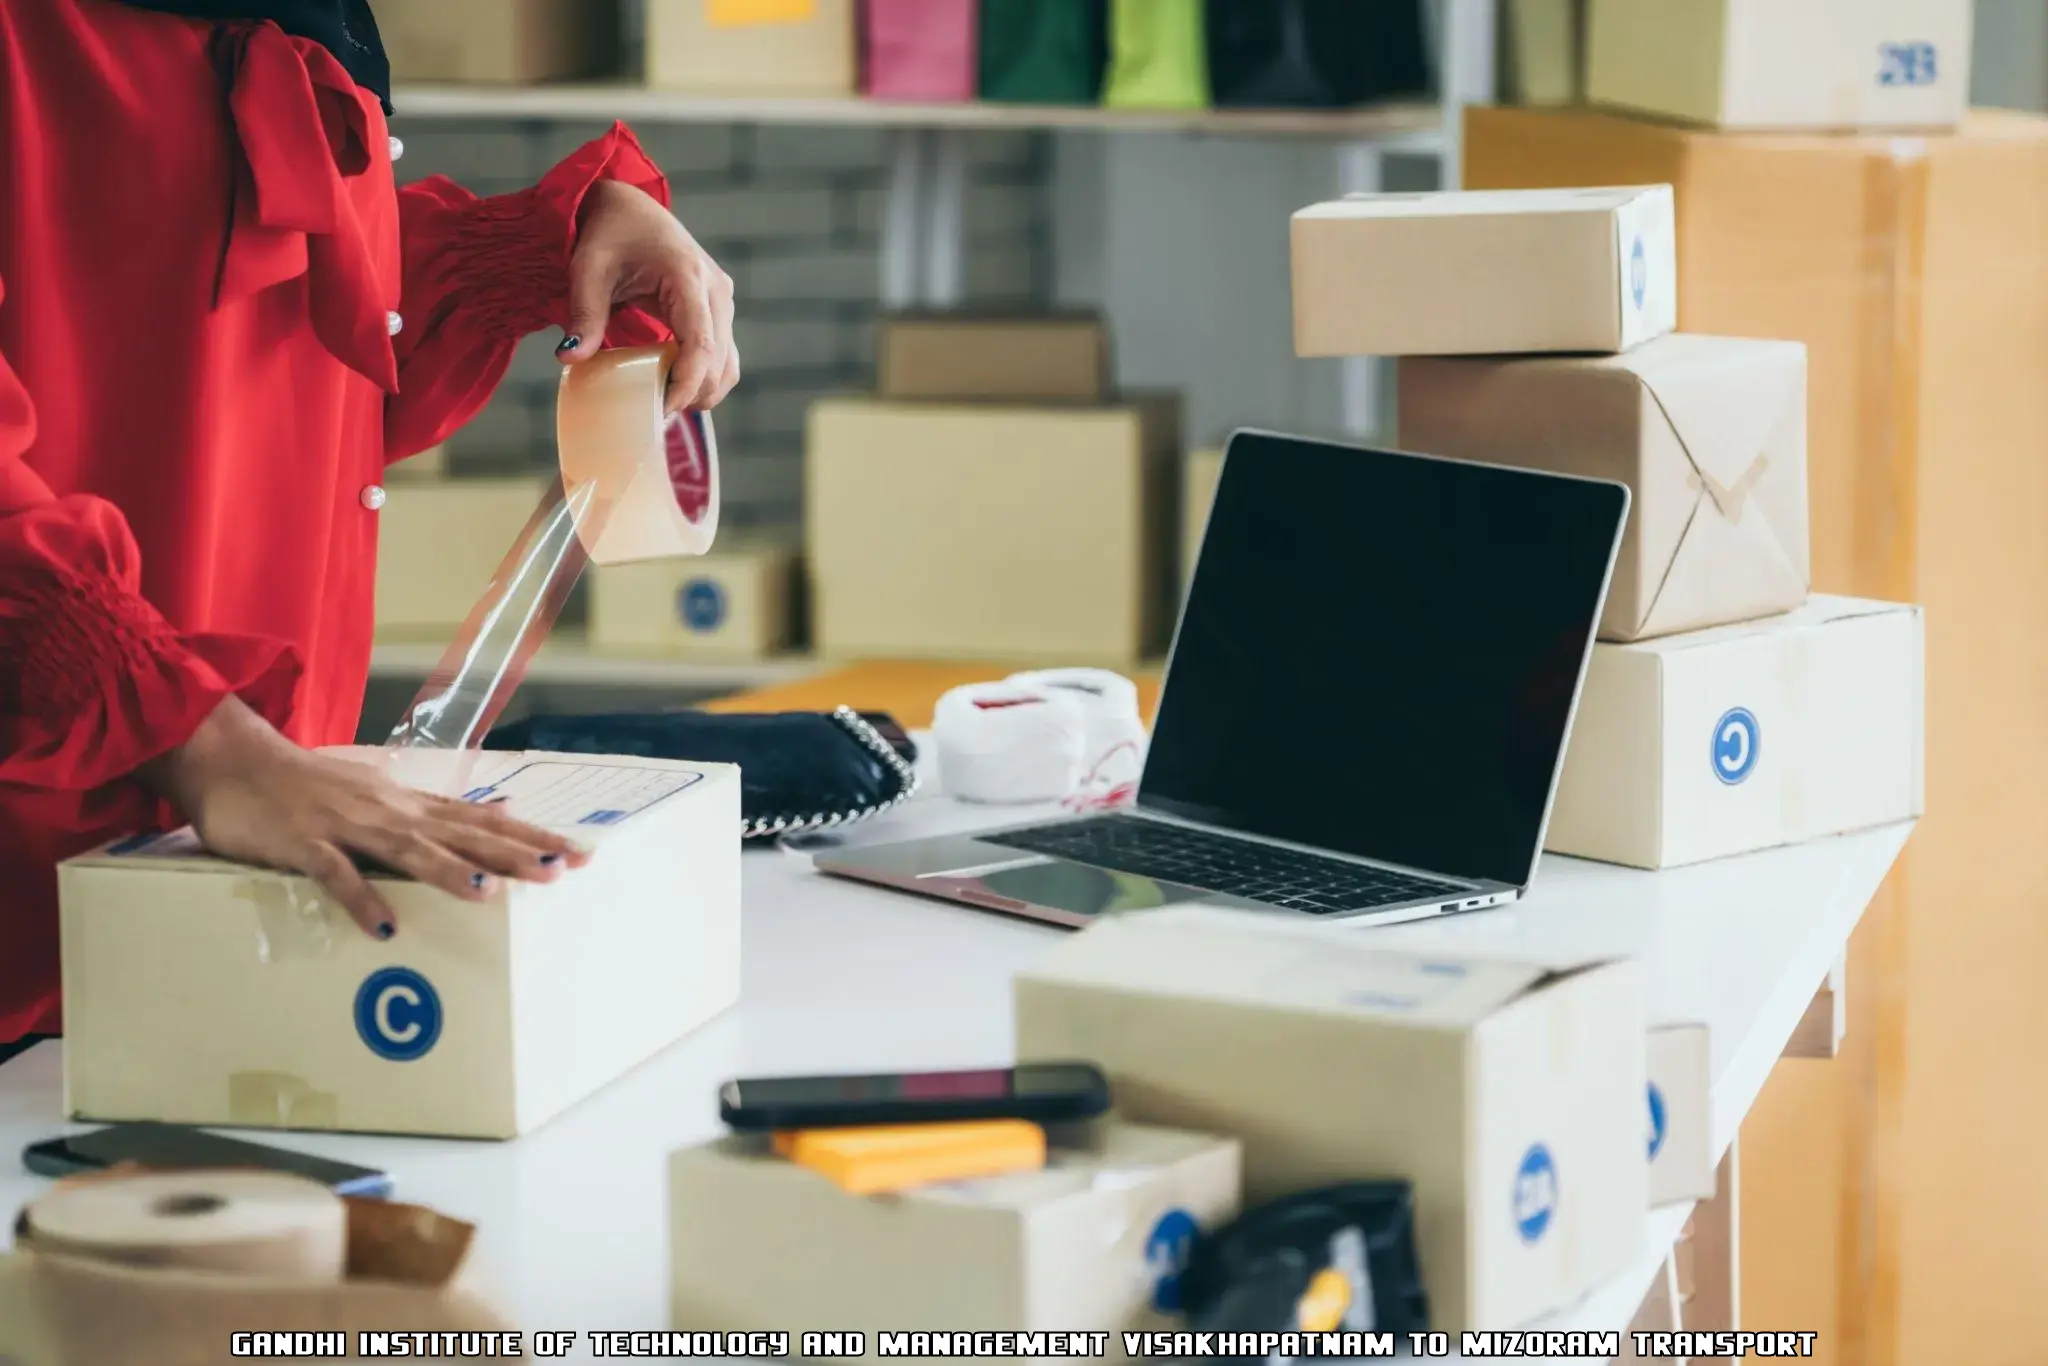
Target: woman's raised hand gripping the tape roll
(630,251)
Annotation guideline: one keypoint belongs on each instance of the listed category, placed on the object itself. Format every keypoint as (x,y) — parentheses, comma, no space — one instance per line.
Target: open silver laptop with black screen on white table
(1365,710)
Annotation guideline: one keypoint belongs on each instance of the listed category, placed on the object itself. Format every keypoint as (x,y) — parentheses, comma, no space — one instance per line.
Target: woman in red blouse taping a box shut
(220,321)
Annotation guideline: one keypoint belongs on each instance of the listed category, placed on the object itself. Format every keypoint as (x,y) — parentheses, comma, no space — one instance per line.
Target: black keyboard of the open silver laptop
(1226,865)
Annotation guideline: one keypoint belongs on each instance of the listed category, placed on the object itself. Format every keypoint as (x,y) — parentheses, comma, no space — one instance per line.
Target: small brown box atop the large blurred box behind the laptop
(1017,359)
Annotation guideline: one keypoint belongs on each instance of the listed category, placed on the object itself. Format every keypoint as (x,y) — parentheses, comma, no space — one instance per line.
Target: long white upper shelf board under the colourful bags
(1416,124)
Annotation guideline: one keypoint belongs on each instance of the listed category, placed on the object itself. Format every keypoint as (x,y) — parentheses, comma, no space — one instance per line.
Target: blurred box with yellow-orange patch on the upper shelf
(722,48)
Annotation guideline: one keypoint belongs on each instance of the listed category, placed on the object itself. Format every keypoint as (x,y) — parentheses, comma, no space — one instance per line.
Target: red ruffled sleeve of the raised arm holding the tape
(482,273)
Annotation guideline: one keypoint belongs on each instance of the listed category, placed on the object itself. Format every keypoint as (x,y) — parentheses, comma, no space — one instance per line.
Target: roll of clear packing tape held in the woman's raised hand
(654,474)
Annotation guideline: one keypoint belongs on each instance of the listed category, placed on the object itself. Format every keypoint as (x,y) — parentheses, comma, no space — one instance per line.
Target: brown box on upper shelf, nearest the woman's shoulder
(499,42)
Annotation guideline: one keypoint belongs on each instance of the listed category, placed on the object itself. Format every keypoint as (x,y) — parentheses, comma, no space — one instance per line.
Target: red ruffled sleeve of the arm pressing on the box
(95,683)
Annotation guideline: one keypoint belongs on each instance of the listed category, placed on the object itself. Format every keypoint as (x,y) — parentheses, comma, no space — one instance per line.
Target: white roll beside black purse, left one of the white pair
(1009,744)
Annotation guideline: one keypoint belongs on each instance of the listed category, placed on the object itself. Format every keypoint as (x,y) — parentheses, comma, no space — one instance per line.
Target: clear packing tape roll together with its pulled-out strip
(634,484)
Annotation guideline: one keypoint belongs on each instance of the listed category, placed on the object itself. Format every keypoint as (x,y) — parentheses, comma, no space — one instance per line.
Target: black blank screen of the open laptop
(1381,654)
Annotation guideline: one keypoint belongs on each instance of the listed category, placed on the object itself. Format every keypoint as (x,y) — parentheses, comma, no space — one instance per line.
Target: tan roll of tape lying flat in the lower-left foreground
(245,1224)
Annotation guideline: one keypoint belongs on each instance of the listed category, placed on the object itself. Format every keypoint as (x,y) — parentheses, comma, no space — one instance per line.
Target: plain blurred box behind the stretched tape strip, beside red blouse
(439,544)
